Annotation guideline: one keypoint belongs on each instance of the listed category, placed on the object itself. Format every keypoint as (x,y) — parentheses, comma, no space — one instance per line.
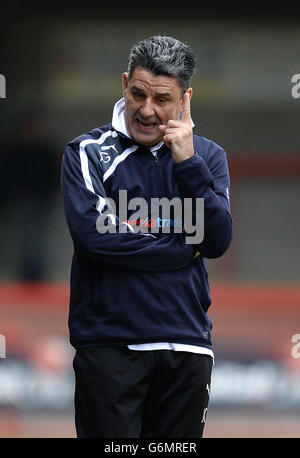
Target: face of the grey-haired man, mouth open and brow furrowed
(150,101)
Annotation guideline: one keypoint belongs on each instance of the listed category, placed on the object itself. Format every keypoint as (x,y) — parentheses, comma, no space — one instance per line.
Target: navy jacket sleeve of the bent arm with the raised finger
(196,179)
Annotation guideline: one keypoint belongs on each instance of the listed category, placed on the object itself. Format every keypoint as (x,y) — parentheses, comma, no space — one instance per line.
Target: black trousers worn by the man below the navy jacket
(128,393)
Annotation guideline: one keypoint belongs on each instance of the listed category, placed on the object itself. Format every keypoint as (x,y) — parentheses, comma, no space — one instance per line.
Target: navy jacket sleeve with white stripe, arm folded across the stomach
(122,248)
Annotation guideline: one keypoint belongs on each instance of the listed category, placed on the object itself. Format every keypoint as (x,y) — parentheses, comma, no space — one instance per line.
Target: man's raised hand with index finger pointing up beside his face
(178,135)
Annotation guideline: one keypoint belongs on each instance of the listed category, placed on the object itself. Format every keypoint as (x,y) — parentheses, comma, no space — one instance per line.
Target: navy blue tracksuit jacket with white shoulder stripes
(127,287)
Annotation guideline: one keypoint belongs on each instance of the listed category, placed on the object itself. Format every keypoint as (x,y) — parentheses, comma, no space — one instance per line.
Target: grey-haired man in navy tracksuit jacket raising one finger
(138,306)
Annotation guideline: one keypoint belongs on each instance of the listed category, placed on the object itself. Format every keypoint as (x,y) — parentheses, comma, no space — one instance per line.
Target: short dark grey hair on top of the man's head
(162,55)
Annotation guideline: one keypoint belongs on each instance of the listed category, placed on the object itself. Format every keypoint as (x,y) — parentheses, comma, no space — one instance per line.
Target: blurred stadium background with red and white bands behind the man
(63,74)
